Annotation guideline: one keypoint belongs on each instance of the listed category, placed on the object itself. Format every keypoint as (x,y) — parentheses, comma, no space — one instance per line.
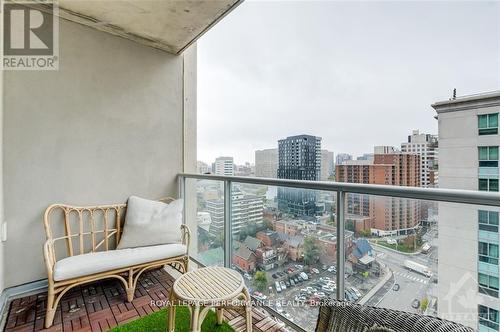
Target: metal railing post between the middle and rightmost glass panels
(340,244)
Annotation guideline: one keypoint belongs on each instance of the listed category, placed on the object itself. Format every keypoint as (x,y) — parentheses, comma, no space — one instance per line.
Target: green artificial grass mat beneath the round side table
(157,321)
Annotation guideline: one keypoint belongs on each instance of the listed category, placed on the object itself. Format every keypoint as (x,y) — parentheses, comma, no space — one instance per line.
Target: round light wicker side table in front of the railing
(206,288)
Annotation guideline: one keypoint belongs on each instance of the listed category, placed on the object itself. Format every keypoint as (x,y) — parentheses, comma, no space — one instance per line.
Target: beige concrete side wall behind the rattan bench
(108,124)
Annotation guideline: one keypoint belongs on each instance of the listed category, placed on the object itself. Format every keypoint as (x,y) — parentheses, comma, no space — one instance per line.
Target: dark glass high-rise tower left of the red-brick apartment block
(299,158)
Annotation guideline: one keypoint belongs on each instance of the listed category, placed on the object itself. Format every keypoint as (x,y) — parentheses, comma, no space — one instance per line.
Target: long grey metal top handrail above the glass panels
(430,194)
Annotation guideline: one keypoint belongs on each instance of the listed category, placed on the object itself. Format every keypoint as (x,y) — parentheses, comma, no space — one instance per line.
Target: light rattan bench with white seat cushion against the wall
(90,234)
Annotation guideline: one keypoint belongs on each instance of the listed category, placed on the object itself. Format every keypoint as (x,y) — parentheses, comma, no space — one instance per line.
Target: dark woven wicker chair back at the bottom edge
(342,316)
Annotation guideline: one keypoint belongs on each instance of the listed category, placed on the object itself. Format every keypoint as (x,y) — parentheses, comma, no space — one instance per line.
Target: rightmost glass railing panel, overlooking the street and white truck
(438,259)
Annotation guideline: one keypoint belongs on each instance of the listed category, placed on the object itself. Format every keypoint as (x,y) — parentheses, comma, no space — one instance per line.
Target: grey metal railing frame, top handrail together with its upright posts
(341,189)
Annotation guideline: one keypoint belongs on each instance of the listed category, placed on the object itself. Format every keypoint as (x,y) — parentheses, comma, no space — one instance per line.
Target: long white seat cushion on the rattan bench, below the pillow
(86,264)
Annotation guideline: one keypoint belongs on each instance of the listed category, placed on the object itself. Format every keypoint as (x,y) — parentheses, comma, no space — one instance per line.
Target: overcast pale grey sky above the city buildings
(357,74)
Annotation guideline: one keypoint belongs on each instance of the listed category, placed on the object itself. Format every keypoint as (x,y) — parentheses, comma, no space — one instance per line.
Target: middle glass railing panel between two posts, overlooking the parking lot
(284,243)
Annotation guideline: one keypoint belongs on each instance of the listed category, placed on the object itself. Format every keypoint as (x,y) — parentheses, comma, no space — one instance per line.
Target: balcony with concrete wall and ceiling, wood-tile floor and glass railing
(119,118)
